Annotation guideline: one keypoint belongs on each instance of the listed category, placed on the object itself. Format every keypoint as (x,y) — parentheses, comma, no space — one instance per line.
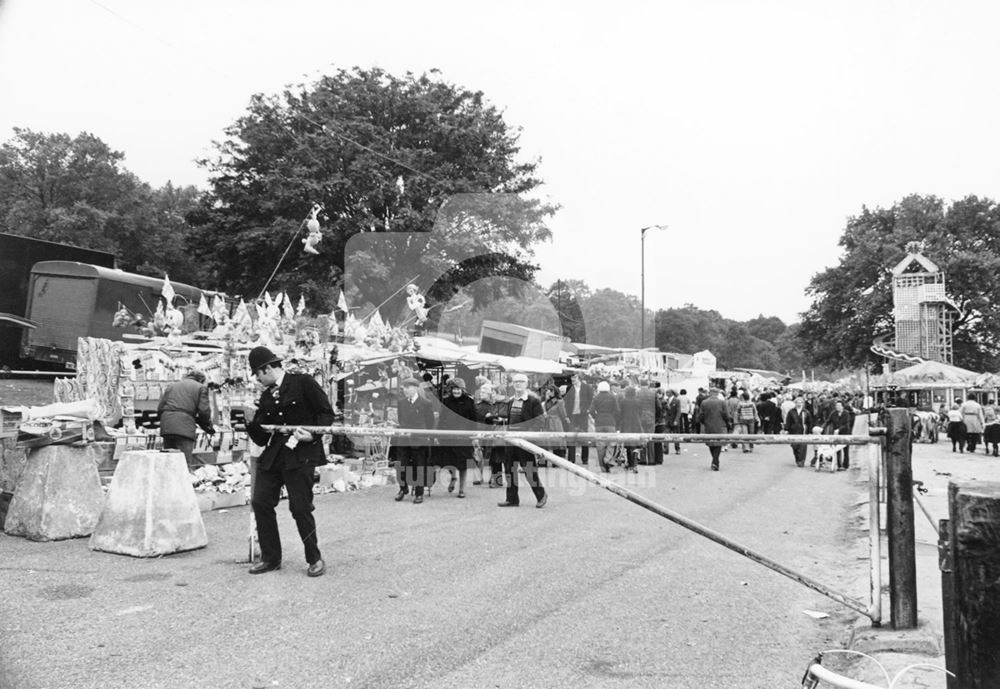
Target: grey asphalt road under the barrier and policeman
(591,591)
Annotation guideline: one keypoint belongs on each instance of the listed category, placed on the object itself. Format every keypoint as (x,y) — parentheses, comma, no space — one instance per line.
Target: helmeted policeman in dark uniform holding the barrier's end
(289,399)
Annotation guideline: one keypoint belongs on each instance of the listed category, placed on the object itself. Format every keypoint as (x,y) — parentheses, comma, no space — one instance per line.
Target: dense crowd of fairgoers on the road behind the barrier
(598,406)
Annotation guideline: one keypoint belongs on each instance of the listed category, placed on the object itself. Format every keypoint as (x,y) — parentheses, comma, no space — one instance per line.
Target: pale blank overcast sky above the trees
(753,129)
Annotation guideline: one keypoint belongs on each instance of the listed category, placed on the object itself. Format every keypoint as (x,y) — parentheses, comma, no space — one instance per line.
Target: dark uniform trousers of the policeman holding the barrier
(266,494)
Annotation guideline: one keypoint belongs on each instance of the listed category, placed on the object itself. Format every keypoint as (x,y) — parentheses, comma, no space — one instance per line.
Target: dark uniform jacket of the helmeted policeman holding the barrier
(300,401)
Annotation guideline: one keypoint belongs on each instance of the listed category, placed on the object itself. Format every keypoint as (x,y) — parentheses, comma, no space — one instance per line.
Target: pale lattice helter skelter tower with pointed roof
(922,310)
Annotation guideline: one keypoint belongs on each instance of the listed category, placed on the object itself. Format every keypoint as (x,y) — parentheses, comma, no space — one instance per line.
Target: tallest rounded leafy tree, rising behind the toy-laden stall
(380,153)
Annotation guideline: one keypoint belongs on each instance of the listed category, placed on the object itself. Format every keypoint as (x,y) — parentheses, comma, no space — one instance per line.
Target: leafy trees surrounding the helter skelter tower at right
(852,302)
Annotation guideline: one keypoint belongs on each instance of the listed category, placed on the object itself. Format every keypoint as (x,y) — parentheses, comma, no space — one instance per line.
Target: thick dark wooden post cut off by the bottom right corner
(974,511)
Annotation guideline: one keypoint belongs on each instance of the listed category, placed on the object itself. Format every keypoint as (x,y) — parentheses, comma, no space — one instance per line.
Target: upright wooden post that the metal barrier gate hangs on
(899,521)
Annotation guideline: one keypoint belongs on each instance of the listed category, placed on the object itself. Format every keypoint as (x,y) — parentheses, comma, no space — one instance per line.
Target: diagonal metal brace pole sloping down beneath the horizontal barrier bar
(691,525)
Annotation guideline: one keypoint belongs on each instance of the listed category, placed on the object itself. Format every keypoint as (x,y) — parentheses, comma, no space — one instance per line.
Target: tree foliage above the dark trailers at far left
(75,190)
